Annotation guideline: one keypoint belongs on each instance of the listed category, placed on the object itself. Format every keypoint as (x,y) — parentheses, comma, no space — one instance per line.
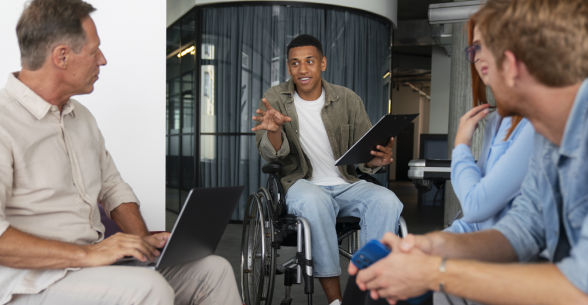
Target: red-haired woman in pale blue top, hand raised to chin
(487,188)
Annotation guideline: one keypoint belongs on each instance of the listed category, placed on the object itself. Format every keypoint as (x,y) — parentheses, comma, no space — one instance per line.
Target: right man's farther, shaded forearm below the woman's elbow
(488,245)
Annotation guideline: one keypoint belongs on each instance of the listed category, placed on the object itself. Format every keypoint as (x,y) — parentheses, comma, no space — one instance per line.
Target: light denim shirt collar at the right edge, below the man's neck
(572,138)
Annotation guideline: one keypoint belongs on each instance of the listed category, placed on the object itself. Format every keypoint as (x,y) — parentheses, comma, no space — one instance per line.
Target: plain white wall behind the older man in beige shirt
(129,98)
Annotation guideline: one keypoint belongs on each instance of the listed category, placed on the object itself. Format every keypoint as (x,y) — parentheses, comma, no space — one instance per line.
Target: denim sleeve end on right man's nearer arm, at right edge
(575,267)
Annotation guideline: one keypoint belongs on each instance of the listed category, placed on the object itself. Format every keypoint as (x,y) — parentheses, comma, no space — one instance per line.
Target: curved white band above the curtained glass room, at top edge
(385,8)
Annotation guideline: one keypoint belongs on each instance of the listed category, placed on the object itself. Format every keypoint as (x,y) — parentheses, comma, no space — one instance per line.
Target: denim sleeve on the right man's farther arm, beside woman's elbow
(523,225)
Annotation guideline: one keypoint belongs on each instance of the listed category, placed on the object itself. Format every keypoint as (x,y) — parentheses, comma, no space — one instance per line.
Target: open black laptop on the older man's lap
(198,229)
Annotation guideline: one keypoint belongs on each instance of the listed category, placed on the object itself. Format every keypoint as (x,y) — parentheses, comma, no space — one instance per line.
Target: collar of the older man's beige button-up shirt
(36,105)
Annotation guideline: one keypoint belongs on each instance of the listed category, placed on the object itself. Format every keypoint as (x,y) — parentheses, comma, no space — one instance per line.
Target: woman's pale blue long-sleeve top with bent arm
(486,190)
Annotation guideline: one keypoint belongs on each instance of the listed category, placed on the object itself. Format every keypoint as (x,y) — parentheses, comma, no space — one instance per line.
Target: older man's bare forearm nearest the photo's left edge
(24,251)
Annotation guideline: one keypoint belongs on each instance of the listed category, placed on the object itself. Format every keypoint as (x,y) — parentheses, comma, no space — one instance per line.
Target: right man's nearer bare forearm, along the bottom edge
(507,283)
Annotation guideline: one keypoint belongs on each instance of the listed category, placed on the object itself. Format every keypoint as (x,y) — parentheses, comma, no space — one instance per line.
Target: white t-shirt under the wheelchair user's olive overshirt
(315,141)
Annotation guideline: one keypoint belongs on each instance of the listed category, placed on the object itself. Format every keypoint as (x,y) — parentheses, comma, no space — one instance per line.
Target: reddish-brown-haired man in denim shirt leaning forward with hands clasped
(538,67)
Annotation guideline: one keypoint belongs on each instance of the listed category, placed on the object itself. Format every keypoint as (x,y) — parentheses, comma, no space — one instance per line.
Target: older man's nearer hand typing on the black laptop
(118,246)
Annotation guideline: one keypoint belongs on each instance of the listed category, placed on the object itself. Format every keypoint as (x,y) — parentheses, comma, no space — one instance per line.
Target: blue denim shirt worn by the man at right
(558,175)
